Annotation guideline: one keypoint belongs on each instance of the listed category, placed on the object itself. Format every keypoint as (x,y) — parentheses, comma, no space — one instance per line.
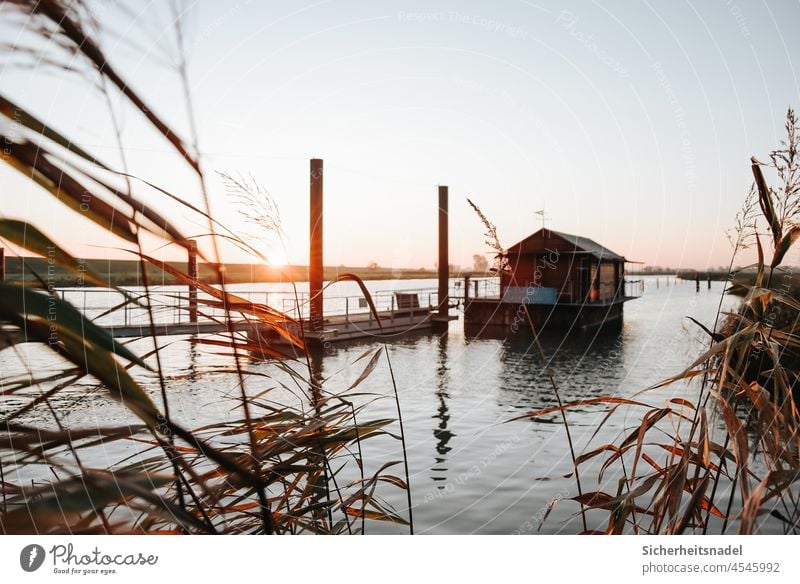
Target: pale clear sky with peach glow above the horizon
(631,123)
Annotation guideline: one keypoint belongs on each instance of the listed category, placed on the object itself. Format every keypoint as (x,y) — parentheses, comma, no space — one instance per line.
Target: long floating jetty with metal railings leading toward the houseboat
(177,313)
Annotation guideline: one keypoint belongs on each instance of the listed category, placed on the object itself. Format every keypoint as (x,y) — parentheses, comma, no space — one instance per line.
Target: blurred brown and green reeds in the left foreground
(274,467)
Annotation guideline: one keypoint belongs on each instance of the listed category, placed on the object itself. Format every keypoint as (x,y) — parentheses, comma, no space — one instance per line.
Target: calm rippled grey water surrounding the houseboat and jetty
(472,471)
